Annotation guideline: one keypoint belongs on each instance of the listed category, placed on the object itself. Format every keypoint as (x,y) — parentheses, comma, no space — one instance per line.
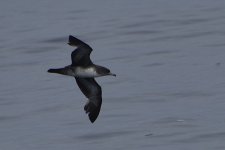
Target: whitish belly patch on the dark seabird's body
(85,72)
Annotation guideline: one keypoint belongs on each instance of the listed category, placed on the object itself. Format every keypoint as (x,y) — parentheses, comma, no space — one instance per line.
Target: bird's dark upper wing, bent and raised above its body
(81,55)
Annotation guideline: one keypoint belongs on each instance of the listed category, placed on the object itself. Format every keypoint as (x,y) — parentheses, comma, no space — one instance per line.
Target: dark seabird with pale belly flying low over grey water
(84,71)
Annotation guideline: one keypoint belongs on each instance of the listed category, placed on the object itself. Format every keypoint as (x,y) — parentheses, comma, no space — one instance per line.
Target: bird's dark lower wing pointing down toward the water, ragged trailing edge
(93,92)
